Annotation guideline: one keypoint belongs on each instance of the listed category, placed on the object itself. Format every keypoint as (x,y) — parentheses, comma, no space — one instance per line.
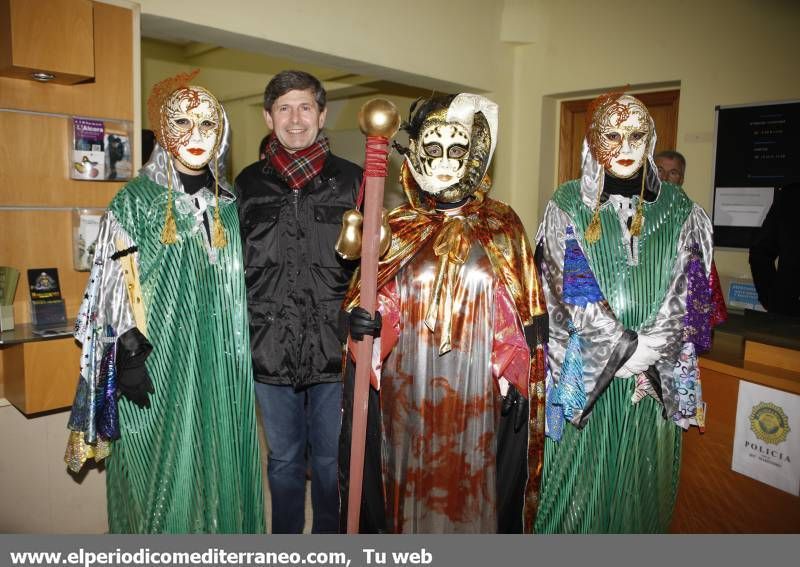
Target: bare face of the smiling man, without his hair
(296,119)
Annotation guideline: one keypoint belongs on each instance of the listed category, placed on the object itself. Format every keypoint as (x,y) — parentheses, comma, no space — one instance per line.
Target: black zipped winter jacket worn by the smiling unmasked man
(295,280)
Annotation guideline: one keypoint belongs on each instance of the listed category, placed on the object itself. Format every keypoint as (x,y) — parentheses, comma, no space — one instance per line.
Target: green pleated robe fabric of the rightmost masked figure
(619,474)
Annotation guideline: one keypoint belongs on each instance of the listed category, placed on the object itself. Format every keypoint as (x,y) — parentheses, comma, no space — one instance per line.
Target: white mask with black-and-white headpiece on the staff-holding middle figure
(452,148)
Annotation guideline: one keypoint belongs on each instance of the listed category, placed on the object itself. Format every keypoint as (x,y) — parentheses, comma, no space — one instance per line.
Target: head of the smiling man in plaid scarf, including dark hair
(294,109)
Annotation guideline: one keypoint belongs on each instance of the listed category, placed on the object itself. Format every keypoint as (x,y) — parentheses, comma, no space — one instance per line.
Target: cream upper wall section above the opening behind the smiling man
(438,41)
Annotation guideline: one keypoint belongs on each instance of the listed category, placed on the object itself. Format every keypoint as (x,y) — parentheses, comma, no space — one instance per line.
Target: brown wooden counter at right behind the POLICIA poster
(712,498)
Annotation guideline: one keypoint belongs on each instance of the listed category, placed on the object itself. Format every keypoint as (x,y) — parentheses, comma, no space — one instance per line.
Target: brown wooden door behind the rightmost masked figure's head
(663,107)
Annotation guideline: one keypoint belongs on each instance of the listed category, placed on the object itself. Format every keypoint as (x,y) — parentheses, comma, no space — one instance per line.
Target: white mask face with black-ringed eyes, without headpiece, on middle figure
(442,152)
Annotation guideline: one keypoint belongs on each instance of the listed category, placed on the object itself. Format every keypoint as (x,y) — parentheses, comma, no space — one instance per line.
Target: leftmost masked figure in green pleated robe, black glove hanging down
(165,393)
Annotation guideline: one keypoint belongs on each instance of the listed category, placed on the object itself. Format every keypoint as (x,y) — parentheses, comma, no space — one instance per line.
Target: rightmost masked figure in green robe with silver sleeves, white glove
(632,295)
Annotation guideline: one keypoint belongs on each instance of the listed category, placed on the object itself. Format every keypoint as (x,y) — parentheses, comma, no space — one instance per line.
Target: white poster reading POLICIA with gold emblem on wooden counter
(766,445)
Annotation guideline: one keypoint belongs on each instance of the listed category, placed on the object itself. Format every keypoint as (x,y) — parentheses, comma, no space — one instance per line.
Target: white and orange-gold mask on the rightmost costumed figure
(620,134)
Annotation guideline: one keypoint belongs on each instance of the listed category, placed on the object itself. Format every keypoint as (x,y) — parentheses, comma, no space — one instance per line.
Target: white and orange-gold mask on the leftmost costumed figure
(191,125)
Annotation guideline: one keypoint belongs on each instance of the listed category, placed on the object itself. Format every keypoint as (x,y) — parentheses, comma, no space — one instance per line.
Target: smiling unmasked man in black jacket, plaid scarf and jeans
(290,209)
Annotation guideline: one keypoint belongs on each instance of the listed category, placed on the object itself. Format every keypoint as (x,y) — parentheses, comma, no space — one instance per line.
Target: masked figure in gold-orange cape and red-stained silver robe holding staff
(452,443)
